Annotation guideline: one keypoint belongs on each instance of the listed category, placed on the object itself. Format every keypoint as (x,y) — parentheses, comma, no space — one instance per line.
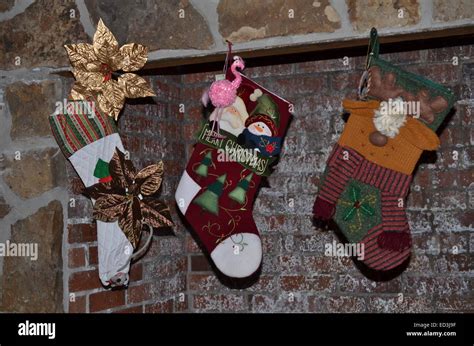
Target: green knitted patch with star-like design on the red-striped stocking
(358,210)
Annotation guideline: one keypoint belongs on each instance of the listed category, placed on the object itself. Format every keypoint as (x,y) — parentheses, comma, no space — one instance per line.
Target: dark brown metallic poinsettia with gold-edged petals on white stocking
(129,197)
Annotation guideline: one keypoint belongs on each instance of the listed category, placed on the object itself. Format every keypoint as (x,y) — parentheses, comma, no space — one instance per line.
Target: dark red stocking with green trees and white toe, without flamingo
(217,190)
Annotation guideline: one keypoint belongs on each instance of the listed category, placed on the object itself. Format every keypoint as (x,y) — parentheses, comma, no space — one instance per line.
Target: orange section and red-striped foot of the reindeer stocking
(365,185)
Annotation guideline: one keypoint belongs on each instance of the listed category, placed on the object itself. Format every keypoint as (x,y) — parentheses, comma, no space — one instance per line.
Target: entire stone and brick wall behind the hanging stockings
(40,199)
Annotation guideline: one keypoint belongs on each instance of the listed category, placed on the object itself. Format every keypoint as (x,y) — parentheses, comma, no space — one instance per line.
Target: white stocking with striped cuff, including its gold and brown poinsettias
(124,199)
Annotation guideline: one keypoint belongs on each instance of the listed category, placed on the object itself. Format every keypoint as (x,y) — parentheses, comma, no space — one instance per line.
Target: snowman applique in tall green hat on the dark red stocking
(261,128)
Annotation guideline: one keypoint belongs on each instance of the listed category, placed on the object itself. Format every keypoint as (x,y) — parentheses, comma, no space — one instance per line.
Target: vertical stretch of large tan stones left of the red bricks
(33,193)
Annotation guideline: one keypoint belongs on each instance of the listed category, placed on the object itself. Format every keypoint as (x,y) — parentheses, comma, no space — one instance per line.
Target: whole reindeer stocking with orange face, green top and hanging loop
(369,170)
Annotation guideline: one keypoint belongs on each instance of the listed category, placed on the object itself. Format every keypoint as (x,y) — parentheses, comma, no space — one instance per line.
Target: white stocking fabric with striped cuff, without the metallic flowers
(89,142)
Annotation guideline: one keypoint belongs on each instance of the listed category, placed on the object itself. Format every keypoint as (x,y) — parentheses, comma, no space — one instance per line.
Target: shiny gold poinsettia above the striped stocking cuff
(94,65)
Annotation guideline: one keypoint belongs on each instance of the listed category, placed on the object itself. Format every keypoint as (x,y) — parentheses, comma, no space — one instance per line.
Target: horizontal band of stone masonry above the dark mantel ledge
(35,31)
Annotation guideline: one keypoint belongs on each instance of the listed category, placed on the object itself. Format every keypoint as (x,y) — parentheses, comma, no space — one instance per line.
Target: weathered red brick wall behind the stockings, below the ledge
(176,276)
